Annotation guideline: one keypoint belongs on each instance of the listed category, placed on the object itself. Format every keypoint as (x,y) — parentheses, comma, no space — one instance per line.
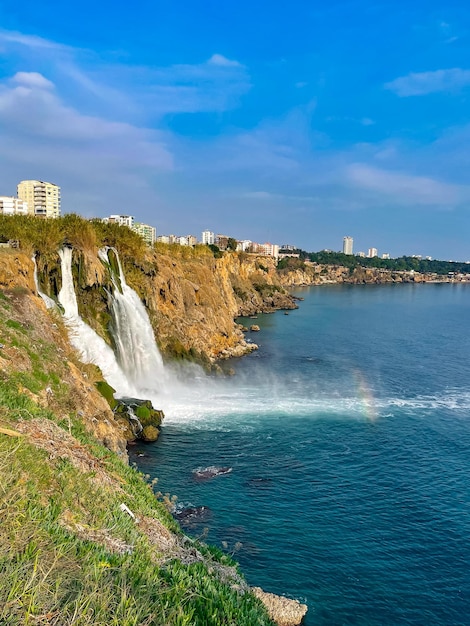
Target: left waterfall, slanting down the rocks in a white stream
(92,347)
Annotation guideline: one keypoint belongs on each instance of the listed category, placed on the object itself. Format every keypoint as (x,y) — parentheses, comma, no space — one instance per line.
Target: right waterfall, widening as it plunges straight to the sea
(136,350)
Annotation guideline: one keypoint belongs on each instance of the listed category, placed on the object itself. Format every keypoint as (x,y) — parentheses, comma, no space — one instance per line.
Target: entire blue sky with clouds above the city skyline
(290,122)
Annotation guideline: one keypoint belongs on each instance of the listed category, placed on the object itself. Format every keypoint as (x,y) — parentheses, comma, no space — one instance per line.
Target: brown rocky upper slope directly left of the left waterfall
(36,358)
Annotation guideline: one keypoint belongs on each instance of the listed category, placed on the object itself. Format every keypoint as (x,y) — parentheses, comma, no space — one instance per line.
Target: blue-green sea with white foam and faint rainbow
(348,438)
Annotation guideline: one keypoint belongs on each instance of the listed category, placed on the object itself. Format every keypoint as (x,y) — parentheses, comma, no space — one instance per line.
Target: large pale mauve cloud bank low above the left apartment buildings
(100,162)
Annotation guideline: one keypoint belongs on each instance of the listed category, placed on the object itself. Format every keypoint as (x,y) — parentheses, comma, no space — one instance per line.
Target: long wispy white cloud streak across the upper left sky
(130,92)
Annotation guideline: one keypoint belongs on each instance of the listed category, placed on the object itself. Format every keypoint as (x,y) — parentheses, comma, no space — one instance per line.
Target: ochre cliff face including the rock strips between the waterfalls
(192,298)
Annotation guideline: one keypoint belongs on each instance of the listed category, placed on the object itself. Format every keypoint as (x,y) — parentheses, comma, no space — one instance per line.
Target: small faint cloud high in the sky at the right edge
(422,83)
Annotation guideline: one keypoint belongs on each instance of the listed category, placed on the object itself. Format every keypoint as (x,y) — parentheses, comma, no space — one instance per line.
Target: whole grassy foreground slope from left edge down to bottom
(68,553)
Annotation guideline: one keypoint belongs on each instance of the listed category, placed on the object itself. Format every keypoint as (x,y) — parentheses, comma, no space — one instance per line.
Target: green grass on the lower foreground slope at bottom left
(47,569)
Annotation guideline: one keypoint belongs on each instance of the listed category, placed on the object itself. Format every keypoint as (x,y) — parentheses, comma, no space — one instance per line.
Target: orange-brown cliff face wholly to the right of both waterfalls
(193,302)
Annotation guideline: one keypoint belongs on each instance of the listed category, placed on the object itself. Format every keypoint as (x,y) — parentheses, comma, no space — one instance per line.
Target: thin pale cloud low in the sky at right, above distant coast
(403,188)
